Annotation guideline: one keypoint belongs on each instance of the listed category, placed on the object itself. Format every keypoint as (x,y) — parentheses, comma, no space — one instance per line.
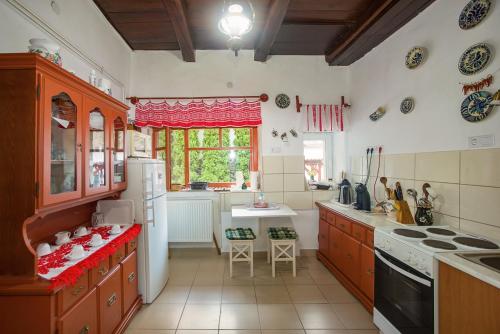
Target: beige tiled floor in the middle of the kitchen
(201,298)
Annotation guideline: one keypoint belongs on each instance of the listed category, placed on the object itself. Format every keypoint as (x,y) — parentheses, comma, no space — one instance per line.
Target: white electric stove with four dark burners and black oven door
(406,274)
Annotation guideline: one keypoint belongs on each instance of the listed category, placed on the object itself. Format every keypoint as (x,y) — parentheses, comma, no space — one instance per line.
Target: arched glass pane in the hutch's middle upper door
(96,150)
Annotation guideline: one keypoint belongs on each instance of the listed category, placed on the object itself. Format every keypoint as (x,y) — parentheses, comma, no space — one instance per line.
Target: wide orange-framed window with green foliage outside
(212,155)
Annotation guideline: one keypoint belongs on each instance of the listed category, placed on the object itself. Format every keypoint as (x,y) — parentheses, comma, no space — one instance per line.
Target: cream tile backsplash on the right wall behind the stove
(467,184)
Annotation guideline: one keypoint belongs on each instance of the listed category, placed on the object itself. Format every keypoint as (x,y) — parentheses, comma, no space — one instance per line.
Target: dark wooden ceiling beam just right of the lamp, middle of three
(277,12)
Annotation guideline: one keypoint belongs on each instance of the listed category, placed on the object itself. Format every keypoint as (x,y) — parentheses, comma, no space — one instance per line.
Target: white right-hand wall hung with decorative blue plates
(381,79)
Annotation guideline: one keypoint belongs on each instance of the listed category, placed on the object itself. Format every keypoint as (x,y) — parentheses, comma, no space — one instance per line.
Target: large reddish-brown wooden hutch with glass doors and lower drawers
(62,149)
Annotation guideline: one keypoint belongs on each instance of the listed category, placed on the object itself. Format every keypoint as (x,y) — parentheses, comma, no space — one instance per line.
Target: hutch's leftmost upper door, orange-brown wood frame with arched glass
(60,144)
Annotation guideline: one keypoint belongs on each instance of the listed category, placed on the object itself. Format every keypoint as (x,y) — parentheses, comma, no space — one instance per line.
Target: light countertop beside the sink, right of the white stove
(483,273)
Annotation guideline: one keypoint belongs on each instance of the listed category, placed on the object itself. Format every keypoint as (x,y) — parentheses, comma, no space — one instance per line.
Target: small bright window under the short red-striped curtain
(317,157)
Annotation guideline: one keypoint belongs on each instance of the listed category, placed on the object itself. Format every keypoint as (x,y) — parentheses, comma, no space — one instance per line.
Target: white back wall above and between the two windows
(163,73)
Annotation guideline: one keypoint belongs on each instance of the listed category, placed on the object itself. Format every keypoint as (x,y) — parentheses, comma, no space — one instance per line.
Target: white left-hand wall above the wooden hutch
(81,24)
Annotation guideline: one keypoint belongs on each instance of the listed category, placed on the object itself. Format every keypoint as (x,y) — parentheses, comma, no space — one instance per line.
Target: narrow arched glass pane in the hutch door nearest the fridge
(118,152)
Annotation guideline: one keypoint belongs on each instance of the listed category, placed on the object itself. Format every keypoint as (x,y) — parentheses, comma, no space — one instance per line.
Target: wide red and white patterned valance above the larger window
(198,114)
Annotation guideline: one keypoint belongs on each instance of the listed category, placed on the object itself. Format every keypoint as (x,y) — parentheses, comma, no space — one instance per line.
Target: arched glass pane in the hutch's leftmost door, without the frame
(63,145)
